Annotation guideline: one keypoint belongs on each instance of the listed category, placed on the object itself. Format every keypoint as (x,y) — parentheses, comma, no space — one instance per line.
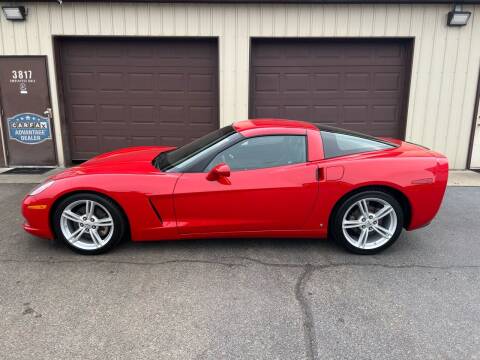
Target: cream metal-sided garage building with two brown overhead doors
(130,73)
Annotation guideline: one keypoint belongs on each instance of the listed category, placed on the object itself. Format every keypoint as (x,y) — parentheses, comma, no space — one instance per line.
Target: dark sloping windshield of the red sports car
(169,159)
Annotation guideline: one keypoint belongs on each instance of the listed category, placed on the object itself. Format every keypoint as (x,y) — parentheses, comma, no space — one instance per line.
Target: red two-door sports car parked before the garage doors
(256,178)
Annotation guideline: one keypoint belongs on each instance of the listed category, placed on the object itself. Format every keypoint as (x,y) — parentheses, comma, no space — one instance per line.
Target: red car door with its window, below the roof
(271,186)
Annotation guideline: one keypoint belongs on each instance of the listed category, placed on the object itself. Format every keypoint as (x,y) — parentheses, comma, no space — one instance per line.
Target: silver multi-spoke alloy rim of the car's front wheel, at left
(86,224)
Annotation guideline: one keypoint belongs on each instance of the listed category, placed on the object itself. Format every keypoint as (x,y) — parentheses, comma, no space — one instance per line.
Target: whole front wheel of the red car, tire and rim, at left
(89,224)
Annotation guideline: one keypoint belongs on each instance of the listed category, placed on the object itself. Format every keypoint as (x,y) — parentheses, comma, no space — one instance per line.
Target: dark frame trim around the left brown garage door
(57,45)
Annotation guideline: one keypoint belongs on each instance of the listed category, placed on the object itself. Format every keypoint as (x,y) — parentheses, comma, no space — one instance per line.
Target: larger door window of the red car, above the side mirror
(263,152)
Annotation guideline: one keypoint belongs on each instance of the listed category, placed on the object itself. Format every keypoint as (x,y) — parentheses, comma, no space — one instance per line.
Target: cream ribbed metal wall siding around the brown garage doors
(445,68)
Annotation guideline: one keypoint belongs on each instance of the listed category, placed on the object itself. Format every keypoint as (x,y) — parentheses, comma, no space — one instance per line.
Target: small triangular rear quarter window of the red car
(338,144)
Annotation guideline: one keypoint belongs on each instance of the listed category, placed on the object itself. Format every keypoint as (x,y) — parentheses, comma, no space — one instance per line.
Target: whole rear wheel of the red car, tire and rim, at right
(368,222)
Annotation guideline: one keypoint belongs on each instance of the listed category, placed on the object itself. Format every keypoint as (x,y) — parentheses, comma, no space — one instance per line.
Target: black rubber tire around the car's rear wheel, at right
(336,229)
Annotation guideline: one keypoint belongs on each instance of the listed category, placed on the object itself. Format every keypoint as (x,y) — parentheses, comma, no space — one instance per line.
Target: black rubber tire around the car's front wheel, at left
(119,222)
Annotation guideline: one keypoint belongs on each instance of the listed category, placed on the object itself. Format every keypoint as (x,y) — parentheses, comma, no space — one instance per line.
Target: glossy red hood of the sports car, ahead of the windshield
(128,160)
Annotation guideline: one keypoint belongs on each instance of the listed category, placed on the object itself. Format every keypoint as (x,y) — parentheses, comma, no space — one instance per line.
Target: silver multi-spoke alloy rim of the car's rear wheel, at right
(369,223)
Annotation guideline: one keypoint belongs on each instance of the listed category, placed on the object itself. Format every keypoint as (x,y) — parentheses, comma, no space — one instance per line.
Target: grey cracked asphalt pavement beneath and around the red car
(244,299)
